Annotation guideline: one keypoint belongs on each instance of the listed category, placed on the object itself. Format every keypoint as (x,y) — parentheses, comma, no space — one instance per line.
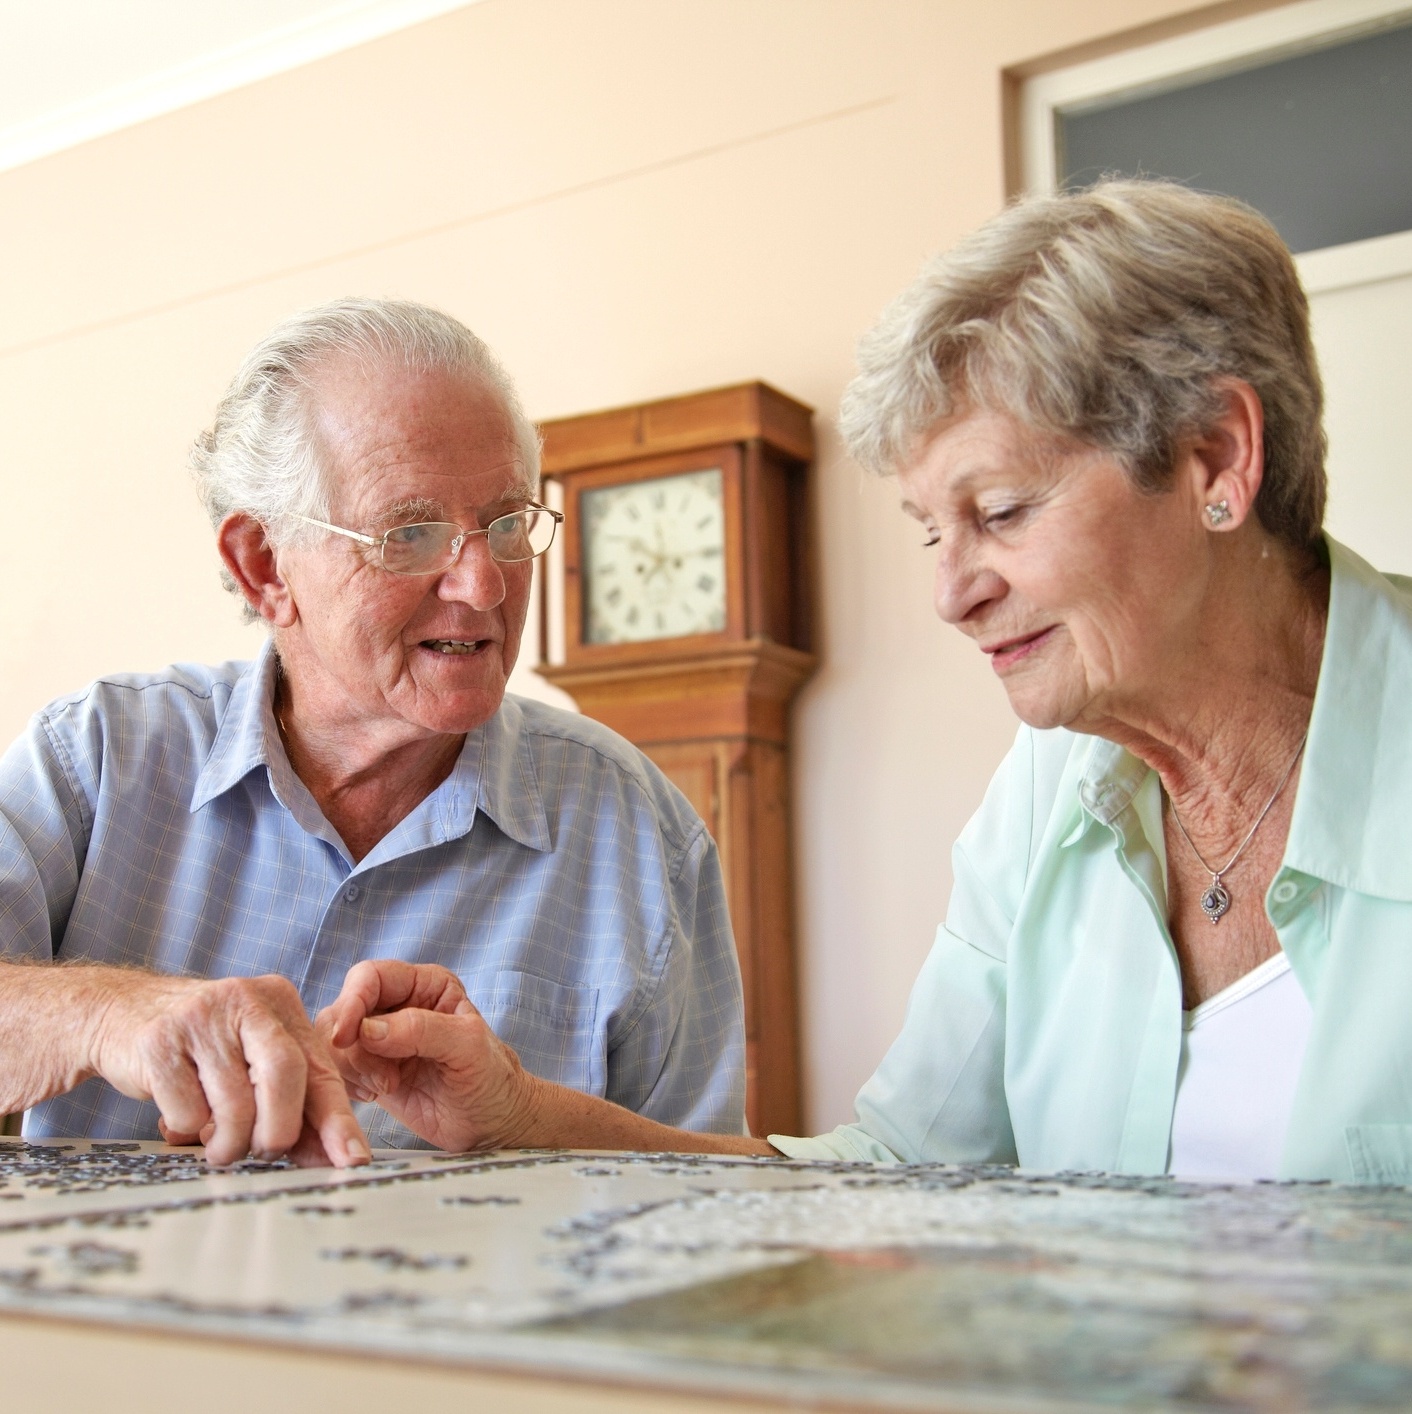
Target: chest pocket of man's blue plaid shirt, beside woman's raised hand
(552,1027)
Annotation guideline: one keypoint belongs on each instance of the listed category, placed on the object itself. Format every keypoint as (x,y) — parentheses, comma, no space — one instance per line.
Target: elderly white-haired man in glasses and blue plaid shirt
(193,862)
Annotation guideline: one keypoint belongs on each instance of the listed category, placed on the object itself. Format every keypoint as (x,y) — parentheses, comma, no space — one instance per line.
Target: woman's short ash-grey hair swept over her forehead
(1106,317)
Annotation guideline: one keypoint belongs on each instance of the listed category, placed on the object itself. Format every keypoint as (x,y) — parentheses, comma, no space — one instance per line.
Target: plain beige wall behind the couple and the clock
(628,199)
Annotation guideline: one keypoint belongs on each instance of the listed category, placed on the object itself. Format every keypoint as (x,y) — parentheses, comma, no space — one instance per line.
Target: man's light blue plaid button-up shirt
(155,821)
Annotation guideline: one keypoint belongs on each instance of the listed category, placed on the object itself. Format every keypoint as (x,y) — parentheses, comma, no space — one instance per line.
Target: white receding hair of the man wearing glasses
(261,455)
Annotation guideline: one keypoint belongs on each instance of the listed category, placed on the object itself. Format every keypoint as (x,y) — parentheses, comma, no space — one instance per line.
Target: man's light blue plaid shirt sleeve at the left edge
(45,831)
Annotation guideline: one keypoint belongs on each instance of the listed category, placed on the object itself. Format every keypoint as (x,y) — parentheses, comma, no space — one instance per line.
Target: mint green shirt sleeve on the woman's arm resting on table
(939,1095)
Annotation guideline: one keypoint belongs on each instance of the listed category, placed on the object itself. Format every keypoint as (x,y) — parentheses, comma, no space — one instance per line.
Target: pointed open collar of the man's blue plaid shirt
(494,774)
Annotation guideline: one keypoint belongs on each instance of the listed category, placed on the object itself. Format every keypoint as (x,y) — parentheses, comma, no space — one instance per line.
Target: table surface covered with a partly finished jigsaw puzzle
(683,1283)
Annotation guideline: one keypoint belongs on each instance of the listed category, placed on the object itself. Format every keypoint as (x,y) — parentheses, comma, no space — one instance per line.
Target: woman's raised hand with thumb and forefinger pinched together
(408,1037)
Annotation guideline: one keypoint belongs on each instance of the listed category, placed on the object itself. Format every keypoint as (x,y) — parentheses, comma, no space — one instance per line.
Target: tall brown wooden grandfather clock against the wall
(686,629)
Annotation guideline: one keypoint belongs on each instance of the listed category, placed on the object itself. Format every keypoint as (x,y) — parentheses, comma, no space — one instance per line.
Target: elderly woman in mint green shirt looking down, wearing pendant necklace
(1181,937)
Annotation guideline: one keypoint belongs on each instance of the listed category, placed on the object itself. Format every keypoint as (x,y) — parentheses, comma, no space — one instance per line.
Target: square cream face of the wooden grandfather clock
(655,559)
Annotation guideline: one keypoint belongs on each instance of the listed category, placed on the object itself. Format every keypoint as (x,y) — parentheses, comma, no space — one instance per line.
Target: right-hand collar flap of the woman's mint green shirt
(1351,815)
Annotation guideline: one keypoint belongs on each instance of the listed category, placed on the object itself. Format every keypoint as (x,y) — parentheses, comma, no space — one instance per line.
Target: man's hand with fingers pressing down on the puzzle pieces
(234,1064)
